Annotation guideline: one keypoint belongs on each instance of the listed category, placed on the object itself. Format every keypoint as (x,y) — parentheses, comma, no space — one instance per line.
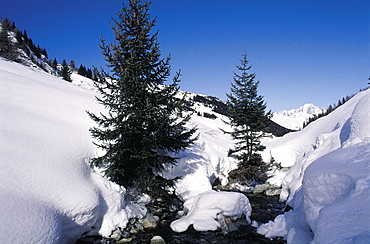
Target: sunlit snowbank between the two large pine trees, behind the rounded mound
(204,161)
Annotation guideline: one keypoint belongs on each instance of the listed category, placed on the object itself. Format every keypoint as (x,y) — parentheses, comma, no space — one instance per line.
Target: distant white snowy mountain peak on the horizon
(293,119)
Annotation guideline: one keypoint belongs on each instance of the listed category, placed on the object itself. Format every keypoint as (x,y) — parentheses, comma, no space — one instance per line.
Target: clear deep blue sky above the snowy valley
(302,51)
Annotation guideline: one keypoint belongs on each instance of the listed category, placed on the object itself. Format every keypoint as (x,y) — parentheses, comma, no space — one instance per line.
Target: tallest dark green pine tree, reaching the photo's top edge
(145,122)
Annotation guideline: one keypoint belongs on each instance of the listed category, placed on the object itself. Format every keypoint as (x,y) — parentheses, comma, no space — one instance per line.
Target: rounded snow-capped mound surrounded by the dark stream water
(208,206)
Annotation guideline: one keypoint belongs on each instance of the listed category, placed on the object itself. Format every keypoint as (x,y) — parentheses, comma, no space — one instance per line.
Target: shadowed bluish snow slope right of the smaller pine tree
(328,184)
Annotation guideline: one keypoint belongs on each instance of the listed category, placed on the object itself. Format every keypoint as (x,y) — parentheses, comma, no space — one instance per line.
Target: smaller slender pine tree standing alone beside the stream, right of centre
(249,120)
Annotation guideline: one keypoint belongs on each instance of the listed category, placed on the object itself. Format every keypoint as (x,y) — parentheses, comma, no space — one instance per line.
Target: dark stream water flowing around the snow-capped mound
(264,208)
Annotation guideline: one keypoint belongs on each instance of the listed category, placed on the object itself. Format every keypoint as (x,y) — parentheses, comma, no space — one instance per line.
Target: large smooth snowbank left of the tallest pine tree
(48,193)
